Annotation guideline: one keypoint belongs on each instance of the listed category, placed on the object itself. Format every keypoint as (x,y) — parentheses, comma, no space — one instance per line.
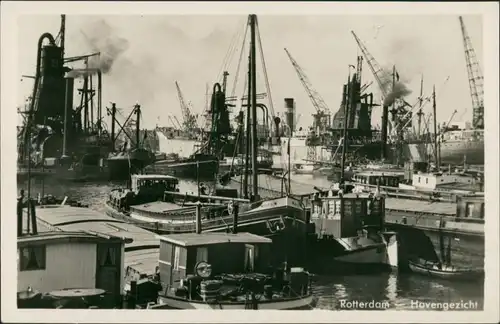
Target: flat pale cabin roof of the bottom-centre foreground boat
(193,239)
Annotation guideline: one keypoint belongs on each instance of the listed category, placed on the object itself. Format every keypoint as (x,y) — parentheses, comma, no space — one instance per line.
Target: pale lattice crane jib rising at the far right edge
(476,80)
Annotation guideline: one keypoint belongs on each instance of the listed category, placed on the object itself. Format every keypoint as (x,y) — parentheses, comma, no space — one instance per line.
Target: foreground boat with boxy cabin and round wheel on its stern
(195,273)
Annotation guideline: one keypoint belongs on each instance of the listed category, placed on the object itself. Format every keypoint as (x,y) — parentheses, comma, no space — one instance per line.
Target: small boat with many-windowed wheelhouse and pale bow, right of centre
(349,234)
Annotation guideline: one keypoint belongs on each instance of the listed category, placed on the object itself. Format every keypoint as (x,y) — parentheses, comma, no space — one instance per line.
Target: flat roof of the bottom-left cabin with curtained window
(55,237)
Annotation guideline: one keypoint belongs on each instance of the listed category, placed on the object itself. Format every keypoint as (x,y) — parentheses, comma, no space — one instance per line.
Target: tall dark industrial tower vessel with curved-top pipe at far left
(57,139)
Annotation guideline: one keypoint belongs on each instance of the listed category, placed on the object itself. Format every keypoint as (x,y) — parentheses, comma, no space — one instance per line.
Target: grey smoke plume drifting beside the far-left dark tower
(103,39)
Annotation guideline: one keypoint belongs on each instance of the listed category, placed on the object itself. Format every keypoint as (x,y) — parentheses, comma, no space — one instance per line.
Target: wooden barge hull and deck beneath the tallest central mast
(155,203)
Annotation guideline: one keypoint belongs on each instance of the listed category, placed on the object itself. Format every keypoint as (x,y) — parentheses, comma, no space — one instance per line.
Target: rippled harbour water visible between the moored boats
(378,291)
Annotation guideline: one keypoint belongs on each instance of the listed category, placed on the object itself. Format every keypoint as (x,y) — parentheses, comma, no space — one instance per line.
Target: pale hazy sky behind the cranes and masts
(190,49)
